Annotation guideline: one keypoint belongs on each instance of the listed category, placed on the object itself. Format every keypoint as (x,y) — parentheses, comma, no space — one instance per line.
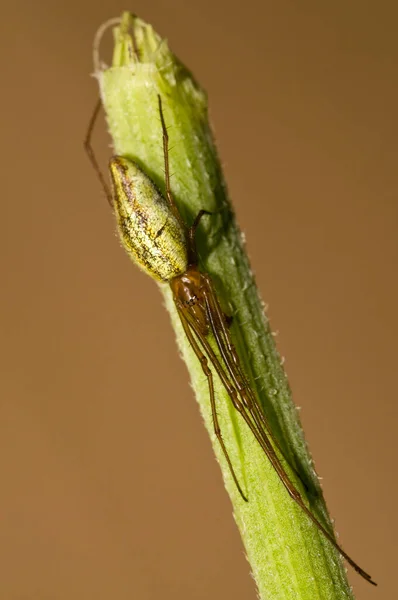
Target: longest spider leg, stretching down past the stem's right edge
(272,457)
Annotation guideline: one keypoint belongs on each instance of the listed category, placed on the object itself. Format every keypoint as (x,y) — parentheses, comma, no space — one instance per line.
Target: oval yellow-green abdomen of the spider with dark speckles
(151,234)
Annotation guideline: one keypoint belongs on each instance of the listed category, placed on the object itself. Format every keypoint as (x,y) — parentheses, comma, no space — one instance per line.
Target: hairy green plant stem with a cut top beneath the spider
(289,558)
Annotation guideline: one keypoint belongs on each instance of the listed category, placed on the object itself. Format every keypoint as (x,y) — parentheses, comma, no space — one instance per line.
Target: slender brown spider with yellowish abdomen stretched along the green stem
(156,237)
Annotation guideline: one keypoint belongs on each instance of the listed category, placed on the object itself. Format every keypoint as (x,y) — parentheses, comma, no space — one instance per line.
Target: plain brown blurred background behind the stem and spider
(109,489)
